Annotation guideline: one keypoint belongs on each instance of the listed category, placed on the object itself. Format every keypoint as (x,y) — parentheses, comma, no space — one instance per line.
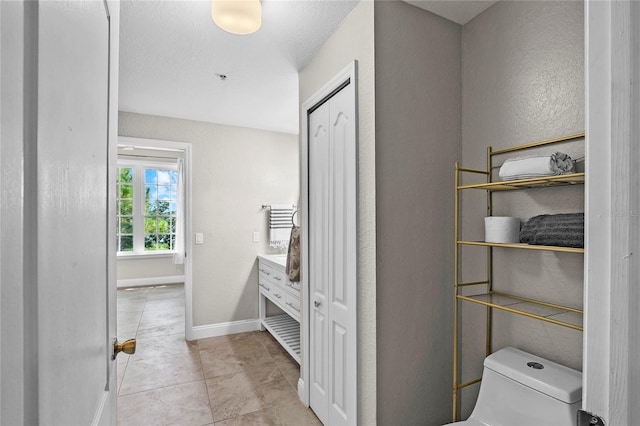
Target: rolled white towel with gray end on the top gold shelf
(536,166)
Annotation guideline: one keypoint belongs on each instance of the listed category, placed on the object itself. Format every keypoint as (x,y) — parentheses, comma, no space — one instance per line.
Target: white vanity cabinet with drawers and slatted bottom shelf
(273,284)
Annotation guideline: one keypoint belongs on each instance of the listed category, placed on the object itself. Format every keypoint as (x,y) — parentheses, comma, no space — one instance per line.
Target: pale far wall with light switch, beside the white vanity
(235,171)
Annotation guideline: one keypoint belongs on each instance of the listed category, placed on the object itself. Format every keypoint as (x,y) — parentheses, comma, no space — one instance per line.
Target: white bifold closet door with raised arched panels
(332,258)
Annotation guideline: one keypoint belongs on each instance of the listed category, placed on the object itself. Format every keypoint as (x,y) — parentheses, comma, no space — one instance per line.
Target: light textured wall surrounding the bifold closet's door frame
(354,40)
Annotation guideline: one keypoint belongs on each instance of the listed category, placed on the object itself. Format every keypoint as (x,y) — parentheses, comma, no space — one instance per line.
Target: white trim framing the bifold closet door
(349,72)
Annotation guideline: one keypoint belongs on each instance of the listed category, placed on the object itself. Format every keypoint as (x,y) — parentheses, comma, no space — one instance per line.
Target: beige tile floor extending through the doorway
(241,379)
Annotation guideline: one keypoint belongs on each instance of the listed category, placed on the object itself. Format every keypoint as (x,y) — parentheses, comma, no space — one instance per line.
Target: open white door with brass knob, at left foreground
(75,288)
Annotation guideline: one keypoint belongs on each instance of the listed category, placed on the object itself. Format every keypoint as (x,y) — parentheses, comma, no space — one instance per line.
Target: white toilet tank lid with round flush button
(555,380)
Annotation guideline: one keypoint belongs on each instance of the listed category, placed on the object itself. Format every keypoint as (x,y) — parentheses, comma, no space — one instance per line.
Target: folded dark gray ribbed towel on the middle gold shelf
(563,230)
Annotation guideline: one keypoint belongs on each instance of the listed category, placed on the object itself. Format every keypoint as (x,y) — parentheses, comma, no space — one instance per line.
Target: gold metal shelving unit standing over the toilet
(564,316)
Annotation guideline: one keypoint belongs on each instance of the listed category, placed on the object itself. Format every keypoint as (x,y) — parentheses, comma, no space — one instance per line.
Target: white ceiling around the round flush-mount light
(171,53)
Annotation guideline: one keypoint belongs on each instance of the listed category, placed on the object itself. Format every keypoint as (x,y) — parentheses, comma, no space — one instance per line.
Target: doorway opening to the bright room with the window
(153,232)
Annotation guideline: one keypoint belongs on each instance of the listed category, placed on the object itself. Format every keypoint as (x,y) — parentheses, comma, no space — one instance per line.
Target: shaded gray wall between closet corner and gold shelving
(418,138)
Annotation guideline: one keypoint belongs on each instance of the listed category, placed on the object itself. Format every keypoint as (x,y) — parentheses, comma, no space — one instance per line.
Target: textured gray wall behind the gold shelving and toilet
(523,80)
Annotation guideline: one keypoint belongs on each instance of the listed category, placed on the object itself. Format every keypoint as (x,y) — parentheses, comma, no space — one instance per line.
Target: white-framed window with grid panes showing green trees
(146,207)
